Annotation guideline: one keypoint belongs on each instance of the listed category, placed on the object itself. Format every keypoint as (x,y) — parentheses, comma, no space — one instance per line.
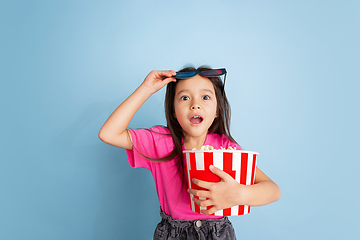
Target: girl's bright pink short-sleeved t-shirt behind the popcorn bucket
(157,143)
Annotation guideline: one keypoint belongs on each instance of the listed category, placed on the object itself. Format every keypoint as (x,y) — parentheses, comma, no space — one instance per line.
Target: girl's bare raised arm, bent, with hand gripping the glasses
(114,130)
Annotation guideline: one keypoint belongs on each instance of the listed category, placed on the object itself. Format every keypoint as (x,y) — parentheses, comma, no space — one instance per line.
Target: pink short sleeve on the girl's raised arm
(148,145)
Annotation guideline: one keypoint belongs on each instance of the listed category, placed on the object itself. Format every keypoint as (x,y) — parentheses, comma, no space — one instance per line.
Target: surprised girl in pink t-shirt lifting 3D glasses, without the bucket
(197,114)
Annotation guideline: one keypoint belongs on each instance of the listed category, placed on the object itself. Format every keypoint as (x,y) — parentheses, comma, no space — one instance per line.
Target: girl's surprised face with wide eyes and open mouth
(195,106)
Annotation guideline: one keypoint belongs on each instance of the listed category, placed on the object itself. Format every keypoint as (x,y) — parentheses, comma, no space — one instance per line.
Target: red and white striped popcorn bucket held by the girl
(239,164)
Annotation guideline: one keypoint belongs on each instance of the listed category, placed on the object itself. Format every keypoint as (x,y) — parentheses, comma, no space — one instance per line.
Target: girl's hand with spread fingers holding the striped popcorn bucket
(224,194)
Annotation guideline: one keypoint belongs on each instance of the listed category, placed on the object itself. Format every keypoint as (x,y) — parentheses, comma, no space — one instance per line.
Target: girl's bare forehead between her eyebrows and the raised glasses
(194,84)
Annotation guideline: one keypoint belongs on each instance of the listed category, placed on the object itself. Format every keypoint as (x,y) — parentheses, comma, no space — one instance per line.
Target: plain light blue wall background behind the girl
(293,83)
